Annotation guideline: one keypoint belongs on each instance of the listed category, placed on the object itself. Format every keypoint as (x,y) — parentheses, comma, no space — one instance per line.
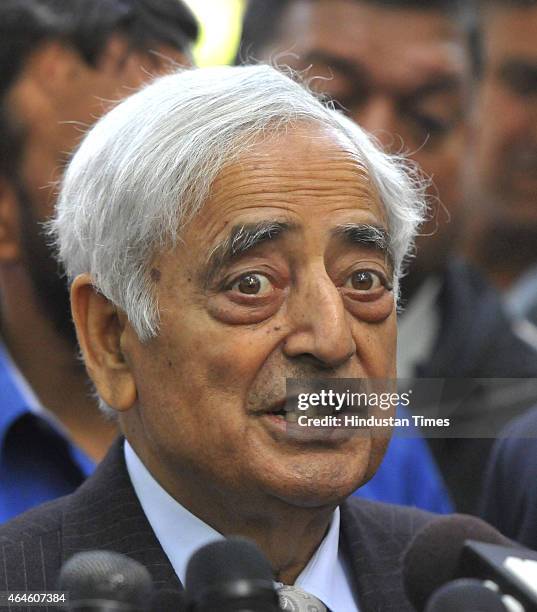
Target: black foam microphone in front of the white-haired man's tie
(230,575)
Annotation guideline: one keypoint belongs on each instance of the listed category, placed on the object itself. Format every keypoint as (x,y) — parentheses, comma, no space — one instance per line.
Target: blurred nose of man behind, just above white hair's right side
(378,116)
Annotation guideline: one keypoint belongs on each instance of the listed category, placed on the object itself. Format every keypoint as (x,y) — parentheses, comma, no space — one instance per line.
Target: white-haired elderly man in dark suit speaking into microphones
(223,230)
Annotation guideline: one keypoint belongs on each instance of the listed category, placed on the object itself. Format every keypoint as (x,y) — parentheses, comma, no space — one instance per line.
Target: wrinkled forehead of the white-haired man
(292,178)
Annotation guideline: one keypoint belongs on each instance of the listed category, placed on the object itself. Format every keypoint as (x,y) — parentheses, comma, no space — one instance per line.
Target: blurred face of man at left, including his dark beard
(56,98)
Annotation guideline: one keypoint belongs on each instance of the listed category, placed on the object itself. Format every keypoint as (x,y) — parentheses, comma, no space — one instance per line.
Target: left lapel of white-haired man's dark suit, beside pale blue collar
(105,514)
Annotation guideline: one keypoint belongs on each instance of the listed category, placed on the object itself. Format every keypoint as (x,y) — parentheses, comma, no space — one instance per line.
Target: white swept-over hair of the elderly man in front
(147,167)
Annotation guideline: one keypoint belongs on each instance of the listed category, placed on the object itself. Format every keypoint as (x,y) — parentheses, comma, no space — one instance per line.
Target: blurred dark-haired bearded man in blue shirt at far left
(61,64)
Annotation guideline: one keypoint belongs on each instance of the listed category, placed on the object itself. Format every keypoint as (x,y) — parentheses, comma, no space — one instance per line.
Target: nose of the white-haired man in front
(320,324)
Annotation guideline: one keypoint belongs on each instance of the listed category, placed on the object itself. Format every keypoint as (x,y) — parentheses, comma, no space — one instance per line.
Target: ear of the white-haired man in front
(102,329)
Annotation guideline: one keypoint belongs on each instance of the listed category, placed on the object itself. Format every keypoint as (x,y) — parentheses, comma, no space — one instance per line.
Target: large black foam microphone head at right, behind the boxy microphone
(434,554)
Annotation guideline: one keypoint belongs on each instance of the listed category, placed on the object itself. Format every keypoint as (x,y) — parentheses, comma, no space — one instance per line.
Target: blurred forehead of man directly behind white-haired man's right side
(395,47)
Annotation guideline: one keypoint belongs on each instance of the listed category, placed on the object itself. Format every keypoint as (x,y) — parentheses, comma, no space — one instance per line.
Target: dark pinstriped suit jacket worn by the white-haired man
(104,513)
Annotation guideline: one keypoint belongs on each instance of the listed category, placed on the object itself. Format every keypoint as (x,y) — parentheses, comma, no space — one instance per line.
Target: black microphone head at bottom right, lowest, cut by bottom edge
(465,595)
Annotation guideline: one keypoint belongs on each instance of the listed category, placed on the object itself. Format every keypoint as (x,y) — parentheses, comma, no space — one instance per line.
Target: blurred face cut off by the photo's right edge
(507,117)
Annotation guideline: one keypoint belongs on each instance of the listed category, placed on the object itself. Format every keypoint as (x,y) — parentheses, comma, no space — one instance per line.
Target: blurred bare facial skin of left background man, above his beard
(59,96)
